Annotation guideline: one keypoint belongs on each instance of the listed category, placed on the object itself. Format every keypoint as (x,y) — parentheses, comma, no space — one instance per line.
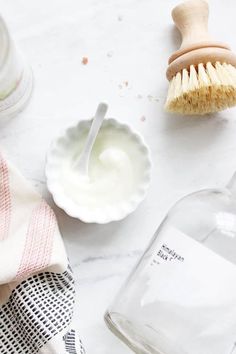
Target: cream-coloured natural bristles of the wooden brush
(201,90)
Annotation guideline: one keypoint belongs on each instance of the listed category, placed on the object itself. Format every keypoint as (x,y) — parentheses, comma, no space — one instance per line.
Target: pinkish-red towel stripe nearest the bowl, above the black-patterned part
(39,241)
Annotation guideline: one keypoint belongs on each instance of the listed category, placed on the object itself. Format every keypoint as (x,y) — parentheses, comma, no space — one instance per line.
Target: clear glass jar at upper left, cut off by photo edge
(15,76)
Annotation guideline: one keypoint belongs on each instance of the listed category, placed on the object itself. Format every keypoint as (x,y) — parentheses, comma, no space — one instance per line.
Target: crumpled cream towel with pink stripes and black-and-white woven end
(36,281)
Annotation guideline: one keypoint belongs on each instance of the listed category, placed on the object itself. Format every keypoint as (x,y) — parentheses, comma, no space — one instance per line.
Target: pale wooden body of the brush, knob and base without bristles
(191,18)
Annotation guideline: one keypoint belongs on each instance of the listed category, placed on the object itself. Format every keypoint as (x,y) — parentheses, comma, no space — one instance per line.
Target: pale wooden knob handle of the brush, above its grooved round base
(191,18)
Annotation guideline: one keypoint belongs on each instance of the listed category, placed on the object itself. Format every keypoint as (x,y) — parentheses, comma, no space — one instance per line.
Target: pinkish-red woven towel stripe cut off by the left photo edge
(5,200)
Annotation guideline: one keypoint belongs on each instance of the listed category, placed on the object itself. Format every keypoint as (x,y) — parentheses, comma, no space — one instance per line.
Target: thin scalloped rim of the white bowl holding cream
(80,213)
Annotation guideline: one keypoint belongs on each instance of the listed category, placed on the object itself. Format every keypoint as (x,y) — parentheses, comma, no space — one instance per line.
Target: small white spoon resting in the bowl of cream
(83,161)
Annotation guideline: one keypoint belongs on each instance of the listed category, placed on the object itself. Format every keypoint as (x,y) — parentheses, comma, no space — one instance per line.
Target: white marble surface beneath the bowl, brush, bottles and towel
(124,40)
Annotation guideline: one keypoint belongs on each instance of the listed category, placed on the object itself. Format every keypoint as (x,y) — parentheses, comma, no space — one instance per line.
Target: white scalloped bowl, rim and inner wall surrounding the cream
(61,148)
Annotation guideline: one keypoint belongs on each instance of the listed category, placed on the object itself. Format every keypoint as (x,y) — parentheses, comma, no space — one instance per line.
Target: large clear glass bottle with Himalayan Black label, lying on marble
(181,297)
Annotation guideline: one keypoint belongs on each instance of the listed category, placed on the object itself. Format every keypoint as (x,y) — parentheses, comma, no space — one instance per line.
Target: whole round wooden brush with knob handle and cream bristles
(202,73)
